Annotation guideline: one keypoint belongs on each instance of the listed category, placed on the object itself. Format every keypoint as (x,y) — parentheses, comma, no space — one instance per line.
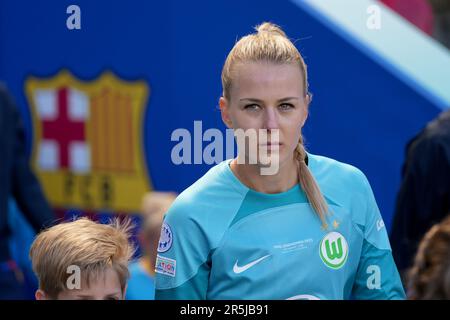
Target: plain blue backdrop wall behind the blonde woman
(361,113)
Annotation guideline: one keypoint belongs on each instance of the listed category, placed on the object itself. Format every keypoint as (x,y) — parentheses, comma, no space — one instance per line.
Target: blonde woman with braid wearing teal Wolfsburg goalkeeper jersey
(311,230)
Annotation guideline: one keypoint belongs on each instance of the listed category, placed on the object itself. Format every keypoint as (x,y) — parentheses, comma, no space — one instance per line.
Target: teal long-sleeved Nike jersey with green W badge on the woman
(222,240)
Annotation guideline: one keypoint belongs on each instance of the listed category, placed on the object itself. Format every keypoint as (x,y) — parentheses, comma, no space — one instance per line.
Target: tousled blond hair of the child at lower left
(91,246)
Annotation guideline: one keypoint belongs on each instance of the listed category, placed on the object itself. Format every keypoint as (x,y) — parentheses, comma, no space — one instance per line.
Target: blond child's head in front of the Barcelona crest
(82,260)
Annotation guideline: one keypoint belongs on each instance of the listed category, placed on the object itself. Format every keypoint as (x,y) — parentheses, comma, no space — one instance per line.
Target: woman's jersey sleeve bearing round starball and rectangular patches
(183,261)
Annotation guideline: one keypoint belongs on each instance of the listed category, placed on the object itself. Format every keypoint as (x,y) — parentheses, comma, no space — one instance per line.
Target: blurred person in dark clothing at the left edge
(16,181)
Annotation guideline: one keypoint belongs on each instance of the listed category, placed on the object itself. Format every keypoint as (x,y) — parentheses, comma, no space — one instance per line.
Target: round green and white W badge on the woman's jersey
(334,250)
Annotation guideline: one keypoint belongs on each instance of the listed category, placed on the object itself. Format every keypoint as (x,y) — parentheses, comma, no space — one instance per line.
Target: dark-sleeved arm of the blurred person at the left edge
(25,187)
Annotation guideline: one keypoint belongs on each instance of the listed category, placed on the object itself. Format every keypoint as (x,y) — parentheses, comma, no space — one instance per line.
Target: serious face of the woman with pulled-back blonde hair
(271,97)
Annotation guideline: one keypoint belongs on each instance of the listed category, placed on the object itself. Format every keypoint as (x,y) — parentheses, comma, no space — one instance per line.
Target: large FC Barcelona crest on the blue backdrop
(87,141)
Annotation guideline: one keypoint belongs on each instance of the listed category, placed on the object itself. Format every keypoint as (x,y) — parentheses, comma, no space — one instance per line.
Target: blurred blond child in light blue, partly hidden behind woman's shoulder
(141,285)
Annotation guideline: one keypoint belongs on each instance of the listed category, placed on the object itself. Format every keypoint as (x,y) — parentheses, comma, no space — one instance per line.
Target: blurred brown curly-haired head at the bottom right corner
(429,278)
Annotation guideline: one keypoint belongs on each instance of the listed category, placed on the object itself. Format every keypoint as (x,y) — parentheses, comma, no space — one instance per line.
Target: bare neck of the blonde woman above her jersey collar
(250,175)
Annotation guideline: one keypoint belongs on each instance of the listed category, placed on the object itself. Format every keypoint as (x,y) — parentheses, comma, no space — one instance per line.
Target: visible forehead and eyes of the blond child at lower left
(106,287)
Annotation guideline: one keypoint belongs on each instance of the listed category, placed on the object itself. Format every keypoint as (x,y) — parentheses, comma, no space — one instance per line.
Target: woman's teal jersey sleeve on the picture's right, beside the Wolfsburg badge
(377,276)
